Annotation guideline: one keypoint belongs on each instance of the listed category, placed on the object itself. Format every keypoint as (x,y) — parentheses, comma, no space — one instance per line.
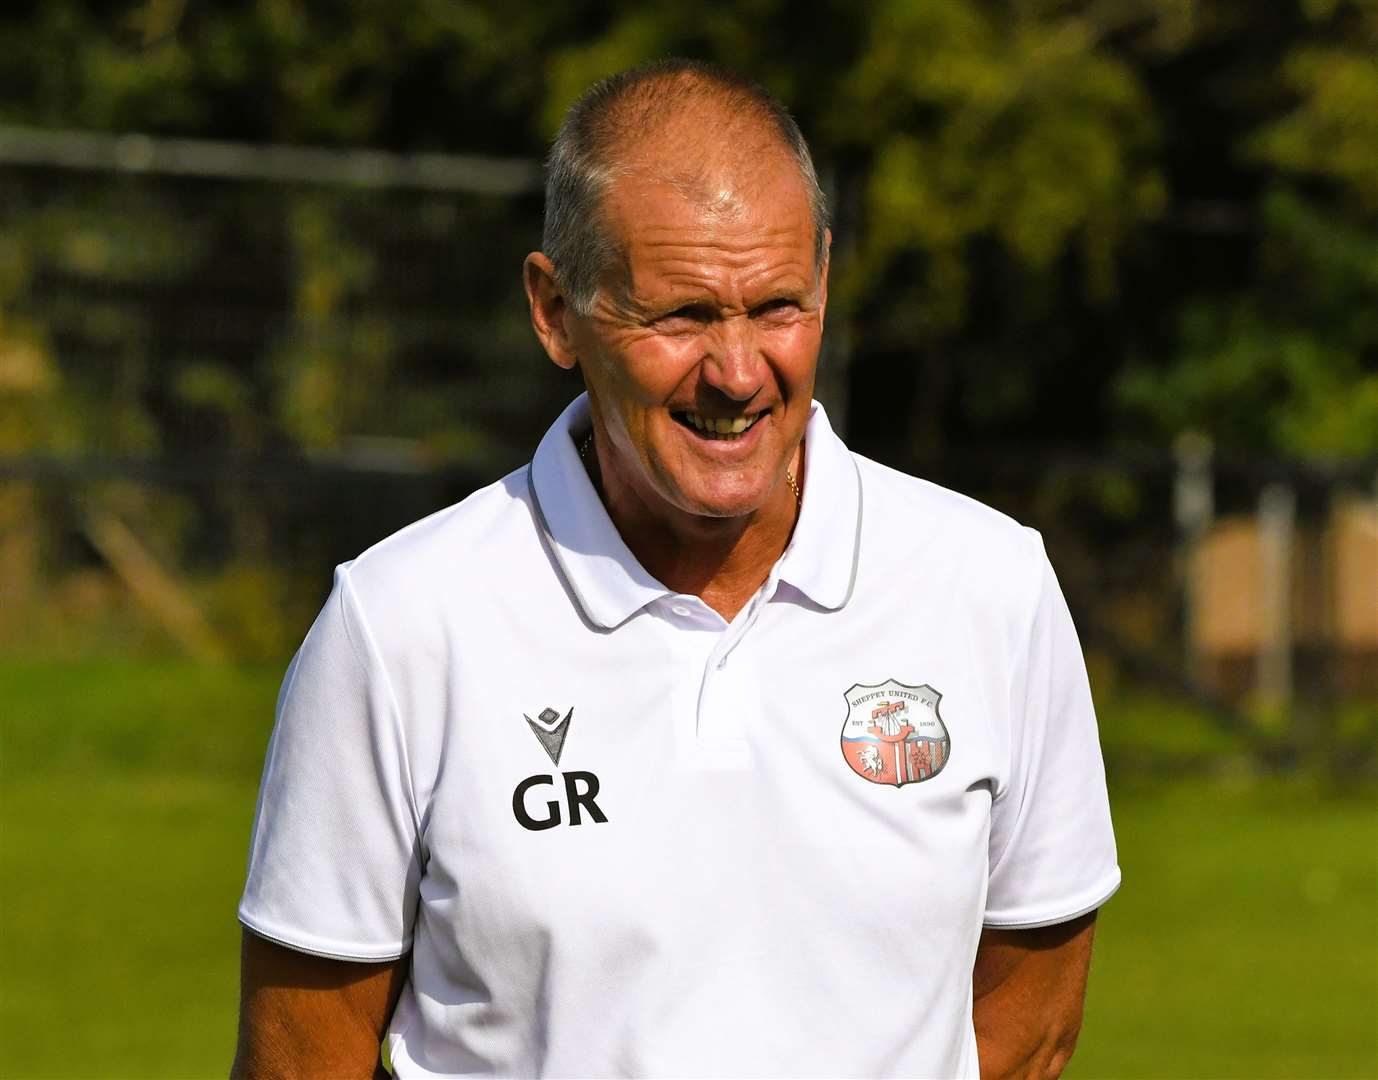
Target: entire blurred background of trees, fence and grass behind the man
(1107,265)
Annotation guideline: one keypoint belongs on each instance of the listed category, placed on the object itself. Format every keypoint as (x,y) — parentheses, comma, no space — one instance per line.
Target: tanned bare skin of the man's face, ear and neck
(716,308)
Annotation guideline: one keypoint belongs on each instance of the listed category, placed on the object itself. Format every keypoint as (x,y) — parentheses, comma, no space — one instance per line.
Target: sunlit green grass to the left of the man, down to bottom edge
(126,800)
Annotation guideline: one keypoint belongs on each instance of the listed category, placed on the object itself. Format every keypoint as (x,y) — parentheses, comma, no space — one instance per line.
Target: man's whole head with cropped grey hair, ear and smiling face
(686,273)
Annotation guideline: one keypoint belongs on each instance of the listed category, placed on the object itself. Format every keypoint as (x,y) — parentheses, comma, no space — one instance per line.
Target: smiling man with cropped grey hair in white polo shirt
(701,747)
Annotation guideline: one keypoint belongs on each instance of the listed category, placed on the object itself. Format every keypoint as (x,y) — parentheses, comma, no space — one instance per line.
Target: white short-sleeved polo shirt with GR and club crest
(622,837)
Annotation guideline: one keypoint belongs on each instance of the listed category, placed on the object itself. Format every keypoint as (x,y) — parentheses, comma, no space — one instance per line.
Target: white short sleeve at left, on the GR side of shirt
(336,852)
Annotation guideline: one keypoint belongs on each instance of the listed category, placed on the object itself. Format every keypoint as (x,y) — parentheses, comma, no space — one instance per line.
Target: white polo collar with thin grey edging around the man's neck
(611,585)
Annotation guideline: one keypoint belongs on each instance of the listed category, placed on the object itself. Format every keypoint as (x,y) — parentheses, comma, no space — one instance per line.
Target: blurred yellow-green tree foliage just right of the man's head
(1026,132)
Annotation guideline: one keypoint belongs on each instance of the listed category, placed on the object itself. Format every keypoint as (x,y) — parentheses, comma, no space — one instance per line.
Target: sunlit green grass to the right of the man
(1244,942)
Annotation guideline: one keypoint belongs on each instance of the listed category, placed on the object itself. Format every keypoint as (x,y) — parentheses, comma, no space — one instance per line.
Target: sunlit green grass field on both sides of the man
(1244,944)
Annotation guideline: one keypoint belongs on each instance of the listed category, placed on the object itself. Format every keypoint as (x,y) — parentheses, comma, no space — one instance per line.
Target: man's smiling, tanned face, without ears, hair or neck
(713,320)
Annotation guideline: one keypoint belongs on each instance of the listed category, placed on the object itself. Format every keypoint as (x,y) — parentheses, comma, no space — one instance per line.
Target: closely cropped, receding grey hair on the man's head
(582,166)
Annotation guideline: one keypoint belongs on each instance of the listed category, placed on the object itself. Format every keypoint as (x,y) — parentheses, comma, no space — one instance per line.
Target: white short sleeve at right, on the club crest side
(1052,849)
